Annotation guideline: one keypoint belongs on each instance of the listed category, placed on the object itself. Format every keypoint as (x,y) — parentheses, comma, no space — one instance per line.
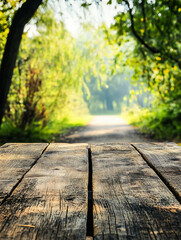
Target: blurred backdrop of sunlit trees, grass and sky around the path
(82,58)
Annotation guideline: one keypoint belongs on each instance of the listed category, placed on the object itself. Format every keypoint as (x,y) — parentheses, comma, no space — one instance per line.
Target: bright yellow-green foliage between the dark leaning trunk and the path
(46,85)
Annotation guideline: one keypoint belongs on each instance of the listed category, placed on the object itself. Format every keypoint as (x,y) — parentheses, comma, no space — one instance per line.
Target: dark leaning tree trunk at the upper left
(21,17)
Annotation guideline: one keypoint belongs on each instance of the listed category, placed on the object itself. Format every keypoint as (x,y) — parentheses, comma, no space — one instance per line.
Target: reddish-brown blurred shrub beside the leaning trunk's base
(24,105)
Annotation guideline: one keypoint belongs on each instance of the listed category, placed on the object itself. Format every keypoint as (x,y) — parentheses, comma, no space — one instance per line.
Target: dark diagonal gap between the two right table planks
(164,180)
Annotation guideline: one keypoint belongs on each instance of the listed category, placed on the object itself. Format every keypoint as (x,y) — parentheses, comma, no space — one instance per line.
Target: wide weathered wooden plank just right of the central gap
(130,200)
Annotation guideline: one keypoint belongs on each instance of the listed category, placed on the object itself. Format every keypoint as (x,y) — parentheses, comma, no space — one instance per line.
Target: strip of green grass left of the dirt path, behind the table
(50,133)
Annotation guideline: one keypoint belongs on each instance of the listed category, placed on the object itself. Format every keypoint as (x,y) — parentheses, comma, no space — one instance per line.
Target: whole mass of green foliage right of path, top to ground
(154,29)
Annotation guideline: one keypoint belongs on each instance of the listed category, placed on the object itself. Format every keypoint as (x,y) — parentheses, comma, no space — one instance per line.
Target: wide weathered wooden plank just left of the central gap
(51,201)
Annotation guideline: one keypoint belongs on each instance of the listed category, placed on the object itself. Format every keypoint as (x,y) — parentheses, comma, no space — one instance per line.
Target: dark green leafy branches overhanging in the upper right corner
(156,26)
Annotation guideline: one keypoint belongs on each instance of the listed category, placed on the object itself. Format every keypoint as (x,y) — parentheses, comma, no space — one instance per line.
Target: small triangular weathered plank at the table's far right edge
(165,159)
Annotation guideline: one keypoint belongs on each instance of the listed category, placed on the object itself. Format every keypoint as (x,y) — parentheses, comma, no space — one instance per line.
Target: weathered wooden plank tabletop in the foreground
(98,191)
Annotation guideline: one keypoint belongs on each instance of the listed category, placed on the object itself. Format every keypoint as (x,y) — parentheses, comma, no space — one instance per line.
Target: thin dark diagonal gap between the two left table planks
(20,180)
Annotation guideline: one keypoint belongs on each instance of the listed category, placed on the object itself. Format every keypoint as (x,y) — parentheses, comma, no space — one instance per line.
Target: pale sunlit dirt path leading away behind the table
(105,128)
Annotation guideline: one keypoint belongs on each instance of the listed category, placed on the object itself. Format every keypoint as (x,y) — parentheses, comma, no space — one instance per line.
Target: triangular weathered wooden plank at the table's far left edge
(15,160)
